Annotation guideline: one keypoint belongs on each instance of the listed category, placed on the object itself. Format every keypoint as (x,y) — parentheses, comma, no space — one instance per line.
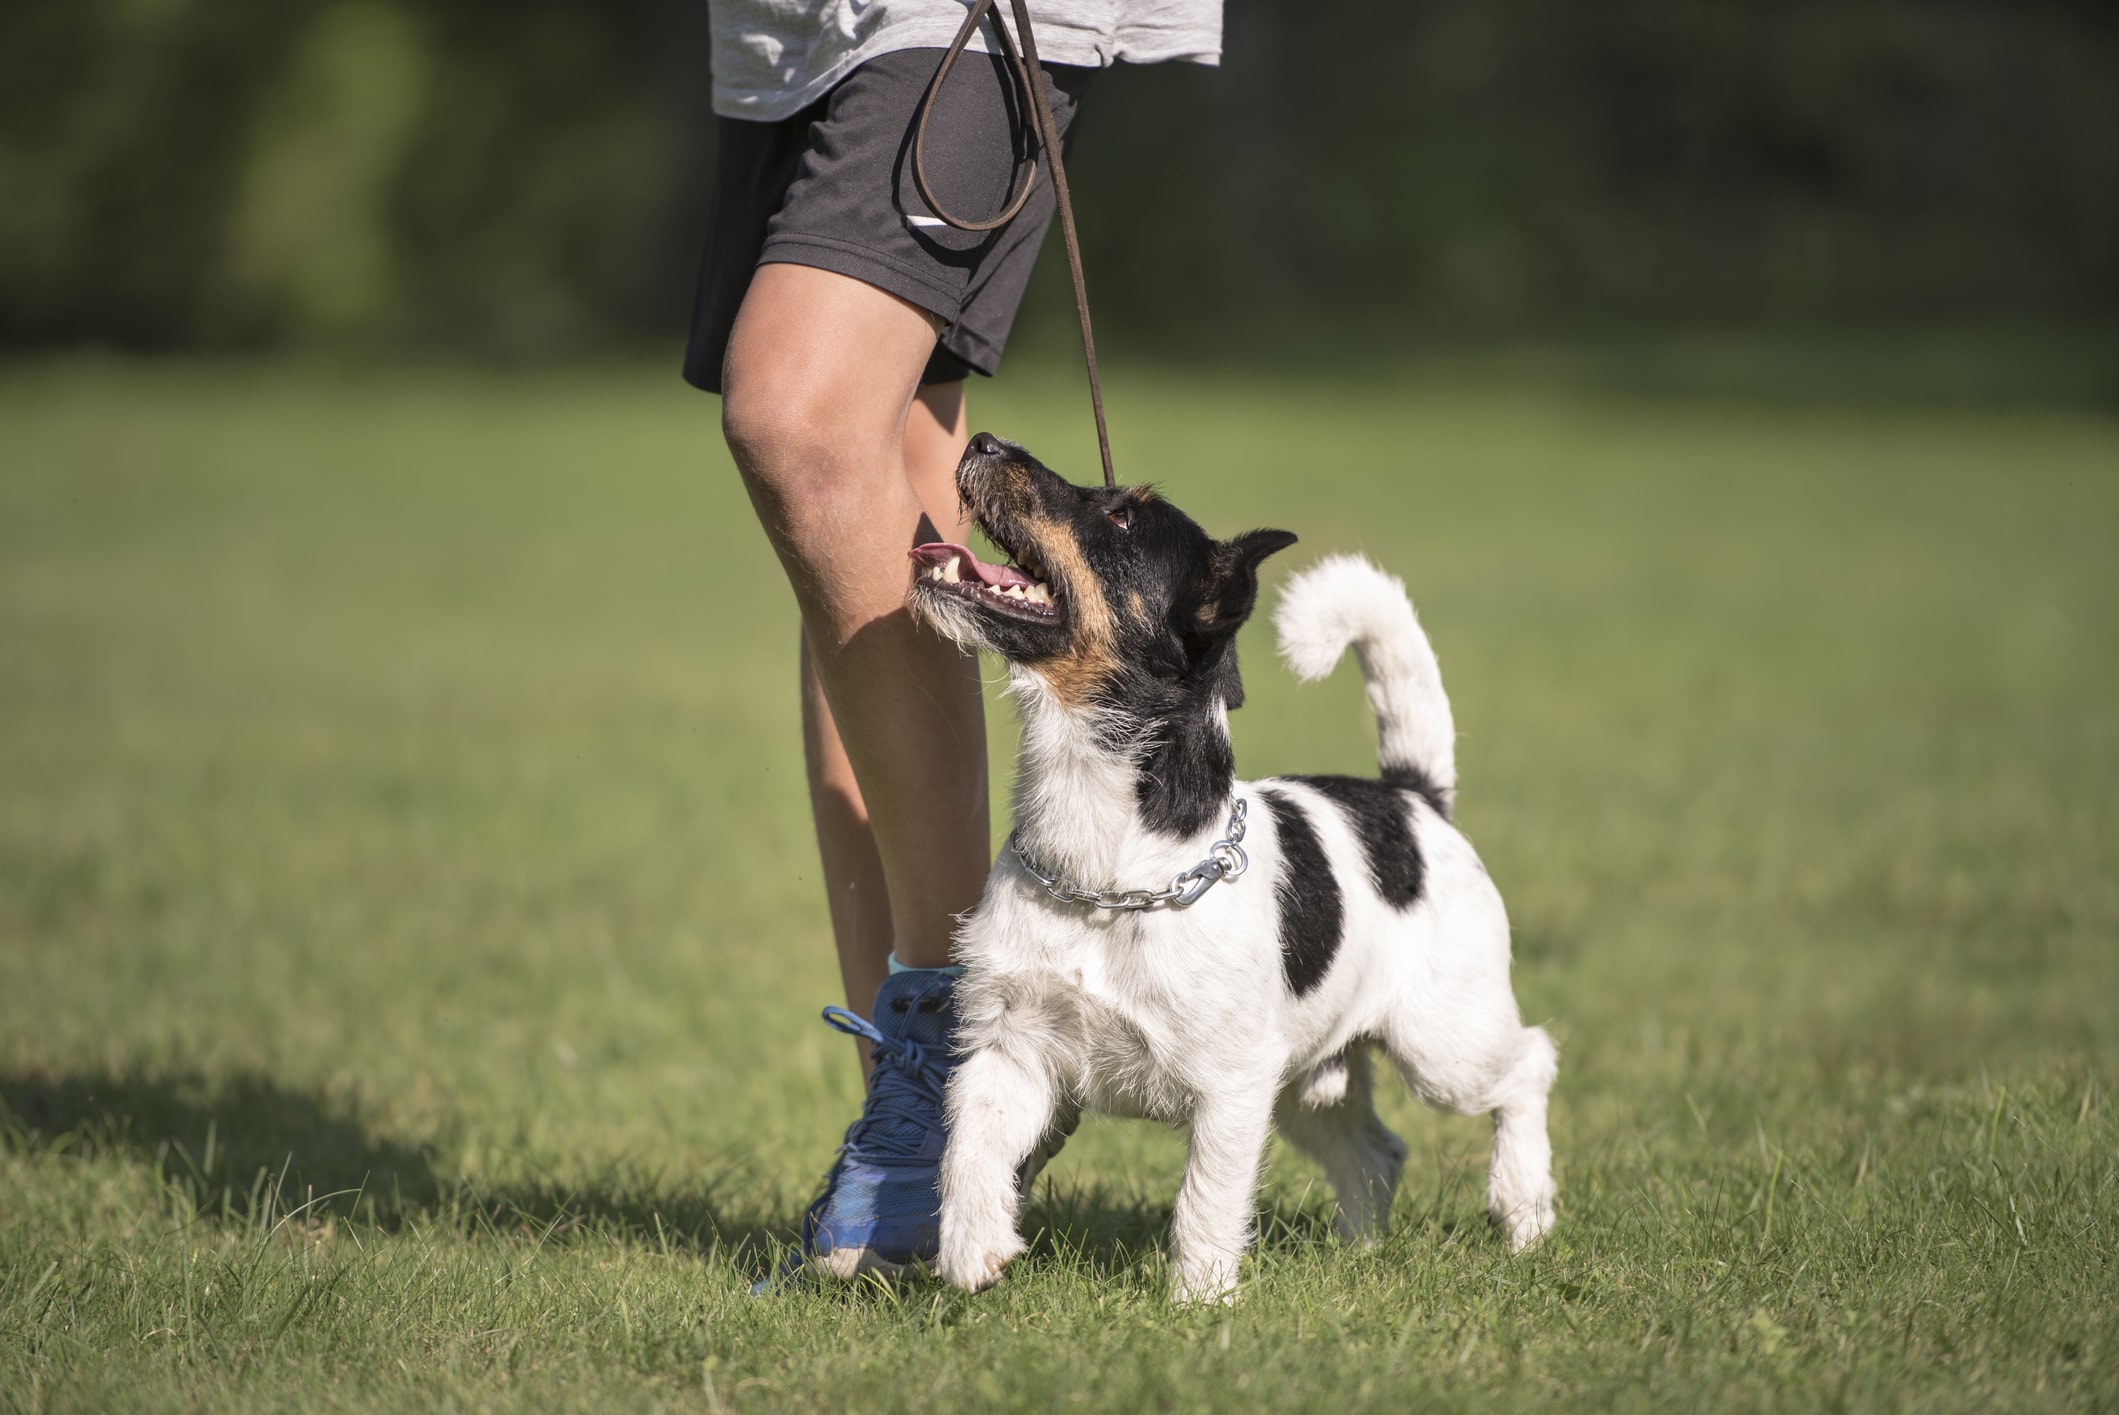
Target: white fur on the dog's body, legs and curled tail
(1183,1016)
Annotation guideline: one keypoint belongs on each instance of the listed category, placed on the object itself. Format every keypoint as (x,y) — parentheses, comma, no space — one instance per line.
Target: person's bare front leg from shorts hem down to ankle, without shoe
(819,391)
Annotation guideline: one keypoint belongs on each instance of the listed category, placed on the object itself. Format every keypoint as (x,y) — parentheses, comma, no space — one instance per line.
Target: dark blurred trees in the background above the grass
(529,177)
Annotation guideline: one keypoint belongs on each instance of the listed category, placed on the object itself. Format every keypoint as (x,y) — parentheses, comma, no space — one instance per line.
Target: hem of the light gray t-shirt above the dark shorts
(774,58)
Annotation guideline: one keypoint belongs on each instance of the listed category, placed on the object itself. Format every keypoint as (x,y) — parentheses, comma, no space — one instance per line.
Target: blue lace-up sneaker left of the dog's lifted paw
(883,1204)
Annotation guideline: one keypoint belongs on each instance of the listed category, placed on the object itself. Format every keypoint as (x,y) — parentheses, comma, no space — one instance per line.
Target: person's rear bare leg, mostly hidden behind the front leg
(855,886)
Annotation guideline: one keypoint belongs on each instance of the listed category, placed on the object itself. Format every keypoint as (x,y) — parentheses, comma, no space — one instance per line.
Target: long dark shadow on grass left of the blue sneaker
(247,1147)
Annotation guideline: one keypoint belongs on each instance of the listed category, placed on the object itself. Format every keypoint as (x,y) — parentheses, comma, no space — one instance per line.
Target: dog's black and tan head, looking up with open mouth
(1114,594)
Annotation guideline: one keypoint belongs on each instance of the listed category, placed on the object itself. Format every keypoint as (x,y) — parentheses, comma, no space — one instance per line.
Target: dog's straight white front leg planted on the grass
(1222,1179)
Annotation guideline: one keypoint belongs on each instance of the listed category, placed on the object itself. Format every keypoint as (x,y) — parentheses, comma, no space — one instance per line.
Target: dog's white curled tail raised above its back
(1342,603)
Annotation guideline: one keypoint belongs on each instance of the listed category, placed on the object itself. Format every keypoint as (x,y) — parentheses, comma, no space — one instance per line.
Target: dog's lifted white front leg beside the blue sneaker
(999,1111)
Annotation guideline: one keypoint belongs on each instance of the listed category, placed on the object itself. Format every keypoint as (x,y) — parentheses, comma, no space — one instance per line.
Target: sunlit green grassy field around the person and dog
(410,935)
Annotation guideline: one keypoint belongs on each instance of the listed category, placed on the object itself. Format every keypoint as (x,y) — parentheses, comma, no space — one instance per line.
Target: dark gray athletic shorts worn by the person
(834,187)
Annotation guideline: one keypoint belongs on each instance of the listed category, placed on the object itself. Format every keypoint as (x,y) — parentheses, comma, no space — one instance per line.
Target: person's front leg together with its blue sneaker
(819,408)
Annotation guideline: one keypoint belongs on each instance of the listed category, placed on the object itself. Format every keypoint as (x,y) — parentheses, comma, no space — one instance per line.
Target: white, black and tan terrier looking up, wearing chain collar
(1302,920)
